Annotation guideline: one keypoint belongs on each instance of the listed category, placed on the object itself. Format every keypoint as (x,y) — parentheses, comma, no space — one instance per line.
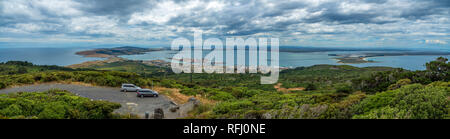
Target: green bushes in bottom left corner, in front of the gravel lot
(53,104)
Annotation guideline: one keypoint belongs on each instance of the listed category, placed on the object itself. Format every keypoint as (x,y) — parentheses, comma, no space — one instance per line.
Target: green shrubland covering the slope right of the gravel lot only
(344,92)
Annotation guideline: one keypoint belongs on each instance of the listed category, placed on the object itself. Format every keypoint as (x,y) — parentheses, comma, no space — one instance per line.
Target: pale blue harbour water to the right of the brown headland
(292,60)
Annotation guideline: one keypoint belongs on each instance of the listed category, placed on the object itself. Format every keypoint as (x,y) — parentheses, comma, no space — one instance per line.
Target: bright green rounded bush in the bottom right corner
(409,102)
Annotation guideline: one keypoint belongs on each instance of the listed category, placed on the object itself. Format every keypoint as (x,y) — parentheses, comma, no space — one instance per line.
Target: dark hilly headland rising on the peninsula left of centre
(117,51)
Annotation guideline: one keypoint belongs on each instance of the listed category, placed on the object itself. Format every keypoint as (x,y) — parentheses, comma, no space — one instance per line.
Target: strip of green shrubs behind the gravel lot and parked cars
(41,74)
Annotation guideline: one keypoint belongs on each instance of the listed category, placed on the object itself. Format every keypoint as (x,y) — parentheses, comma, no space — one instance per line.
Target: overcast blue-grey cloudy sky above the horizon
(334,23)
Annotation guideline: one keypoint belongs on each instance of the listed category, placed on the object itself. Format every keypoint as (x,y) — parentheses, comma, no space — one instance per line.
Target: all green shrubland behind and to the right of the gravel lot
(329,92)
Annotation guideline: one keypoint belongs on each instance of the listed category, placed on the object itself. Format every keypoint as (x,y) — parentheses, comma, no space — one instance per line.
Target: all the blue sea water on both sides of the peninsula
(67,56)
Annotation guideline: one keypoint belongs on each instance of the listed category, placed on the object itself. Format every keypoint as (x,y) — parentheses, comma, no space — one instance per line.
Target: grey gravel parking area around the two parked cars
(128,100)
